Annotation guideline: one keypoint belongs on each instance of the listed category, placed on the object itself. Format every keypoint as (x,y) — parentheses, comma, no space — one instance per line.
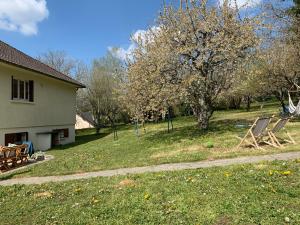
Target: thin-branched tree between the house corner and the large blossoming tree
(103,90)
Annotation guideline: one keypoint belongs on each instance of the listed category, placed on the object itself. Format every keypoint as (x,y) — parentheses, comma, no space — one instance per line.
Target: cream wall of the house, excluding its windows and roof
(53,107)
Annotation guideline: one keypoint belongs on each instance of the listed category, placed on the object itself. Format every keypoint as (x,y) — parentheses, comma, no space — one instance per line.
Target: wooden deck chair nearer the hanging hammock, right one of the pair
(278,126)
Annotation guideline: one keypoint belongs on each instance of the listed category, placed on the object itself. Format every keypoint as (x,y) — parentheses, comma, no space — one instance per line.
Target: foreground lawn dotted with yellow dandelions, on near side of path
(265,193)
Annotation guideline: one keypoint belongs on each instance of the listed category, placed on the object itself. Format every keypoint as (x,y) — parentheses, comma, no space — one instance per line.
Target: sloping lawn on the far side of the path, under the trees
(93,152)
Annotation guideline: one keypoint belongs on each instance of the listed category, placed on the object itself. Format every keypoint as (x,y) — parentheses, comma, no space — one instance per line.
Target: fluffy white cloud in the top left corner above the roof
(22,15)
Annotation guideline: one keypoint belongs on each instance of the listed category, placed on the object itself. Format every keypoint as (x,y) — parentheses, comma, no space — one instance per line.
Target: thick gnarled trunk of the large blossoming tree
(203,111)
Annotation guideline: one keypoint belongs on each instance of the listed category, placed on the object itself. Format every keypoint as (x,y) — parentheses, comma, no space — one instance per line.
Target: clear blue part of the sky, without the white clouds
(85,28)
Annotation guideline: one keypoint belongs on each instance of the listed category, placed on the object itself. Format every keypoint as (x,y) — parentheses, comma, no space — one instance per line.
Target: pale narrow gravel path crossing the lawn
(154,168)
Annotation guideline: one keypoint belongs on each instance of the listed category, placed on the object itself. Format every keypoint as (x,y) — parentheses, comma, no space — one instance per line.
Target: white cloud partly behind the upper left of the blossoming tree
(139,35)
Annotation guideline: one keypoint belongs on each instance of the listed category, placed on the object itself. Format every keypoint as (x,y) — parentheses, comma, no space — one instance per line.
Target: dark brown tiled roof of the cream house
(11,55)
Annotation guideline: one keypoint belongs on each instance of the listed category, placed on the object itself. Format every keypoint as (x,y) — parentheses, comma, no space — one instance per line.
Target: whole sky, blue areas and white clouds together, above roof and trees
(84,29)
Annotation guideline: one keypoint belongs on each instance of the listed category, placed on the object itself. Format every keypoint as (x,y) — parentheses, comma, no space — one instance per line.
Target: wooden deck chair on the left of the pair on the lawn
(256,132)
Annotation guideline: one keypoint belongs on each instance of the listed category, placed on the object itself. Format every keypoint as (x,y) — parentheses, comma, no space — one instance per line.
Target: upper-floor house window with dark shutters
(22,90)
